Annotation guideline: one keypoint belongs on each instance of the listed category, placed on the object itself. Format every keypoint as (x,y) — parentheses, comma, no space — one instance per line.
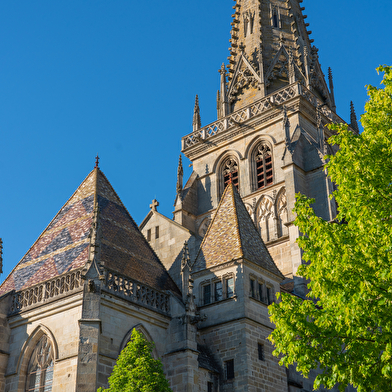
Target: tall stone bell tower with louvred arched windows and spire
(270,136)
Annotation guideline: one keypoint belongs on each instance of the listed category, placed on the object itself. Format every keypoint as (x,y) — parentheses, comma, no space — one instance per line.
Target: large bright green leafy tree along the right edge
(344,326)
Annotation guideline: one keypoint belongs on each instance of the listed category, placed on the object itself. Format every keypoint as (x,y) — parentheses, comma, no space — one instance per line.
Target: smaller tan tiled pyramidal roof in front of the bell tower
(232,235)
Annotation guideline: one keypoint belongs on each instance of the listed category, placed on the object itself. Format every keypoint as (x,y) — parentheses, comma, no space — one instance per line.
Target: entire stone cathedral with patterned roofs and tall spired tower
(197,284)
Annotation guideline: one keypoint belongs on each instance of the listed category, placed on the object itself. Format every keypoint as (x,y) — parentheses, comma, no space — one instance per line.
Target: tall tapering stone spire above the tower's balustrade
(270,47)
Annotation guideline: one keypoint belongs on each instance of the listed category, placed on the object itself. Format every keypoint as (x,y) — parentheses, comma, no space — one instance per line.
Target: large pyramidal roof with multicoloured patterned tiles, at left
(64,244)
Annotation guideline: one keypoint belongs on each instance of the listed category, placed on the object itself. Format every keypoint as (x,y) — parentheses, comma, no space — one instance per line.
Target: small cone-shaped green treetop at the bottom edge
(136,370)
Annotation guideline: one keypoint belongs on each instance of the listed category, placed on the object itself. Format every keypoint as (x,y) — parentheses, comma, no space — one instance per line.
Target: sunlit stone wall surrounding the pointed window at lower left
(59,320)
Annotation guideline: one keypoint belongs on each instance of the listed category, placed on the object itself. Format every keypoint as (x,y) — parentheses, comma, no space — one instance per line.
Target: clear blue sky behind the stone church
(119,78)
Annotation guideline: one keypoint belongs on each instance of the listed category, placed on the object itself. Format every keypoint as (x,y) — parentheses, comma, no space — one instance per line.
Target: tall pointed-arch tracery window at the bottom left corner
(40,368)
